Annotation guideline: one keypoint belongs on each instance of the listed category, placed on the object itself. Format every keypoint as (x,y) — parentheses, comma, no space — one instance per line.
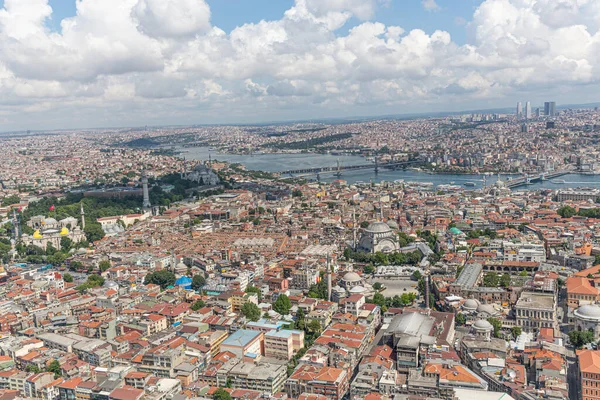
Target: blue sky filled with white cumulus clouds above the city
(99,63)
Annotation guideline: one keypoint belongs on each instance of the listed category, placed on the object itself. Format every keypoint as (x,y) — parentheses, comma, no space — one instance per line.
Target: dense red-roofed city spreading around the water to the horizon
(132,270)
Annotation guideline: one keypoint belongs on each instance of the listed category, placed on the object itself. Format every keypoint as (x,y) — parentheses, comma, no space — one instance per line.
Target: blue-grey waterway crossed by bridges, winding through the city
(282,162)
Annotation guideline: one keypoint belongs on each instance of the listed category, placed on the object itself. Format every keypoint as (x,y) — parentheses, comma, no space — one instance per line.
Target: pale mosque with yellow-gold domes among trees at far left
(48,230)
